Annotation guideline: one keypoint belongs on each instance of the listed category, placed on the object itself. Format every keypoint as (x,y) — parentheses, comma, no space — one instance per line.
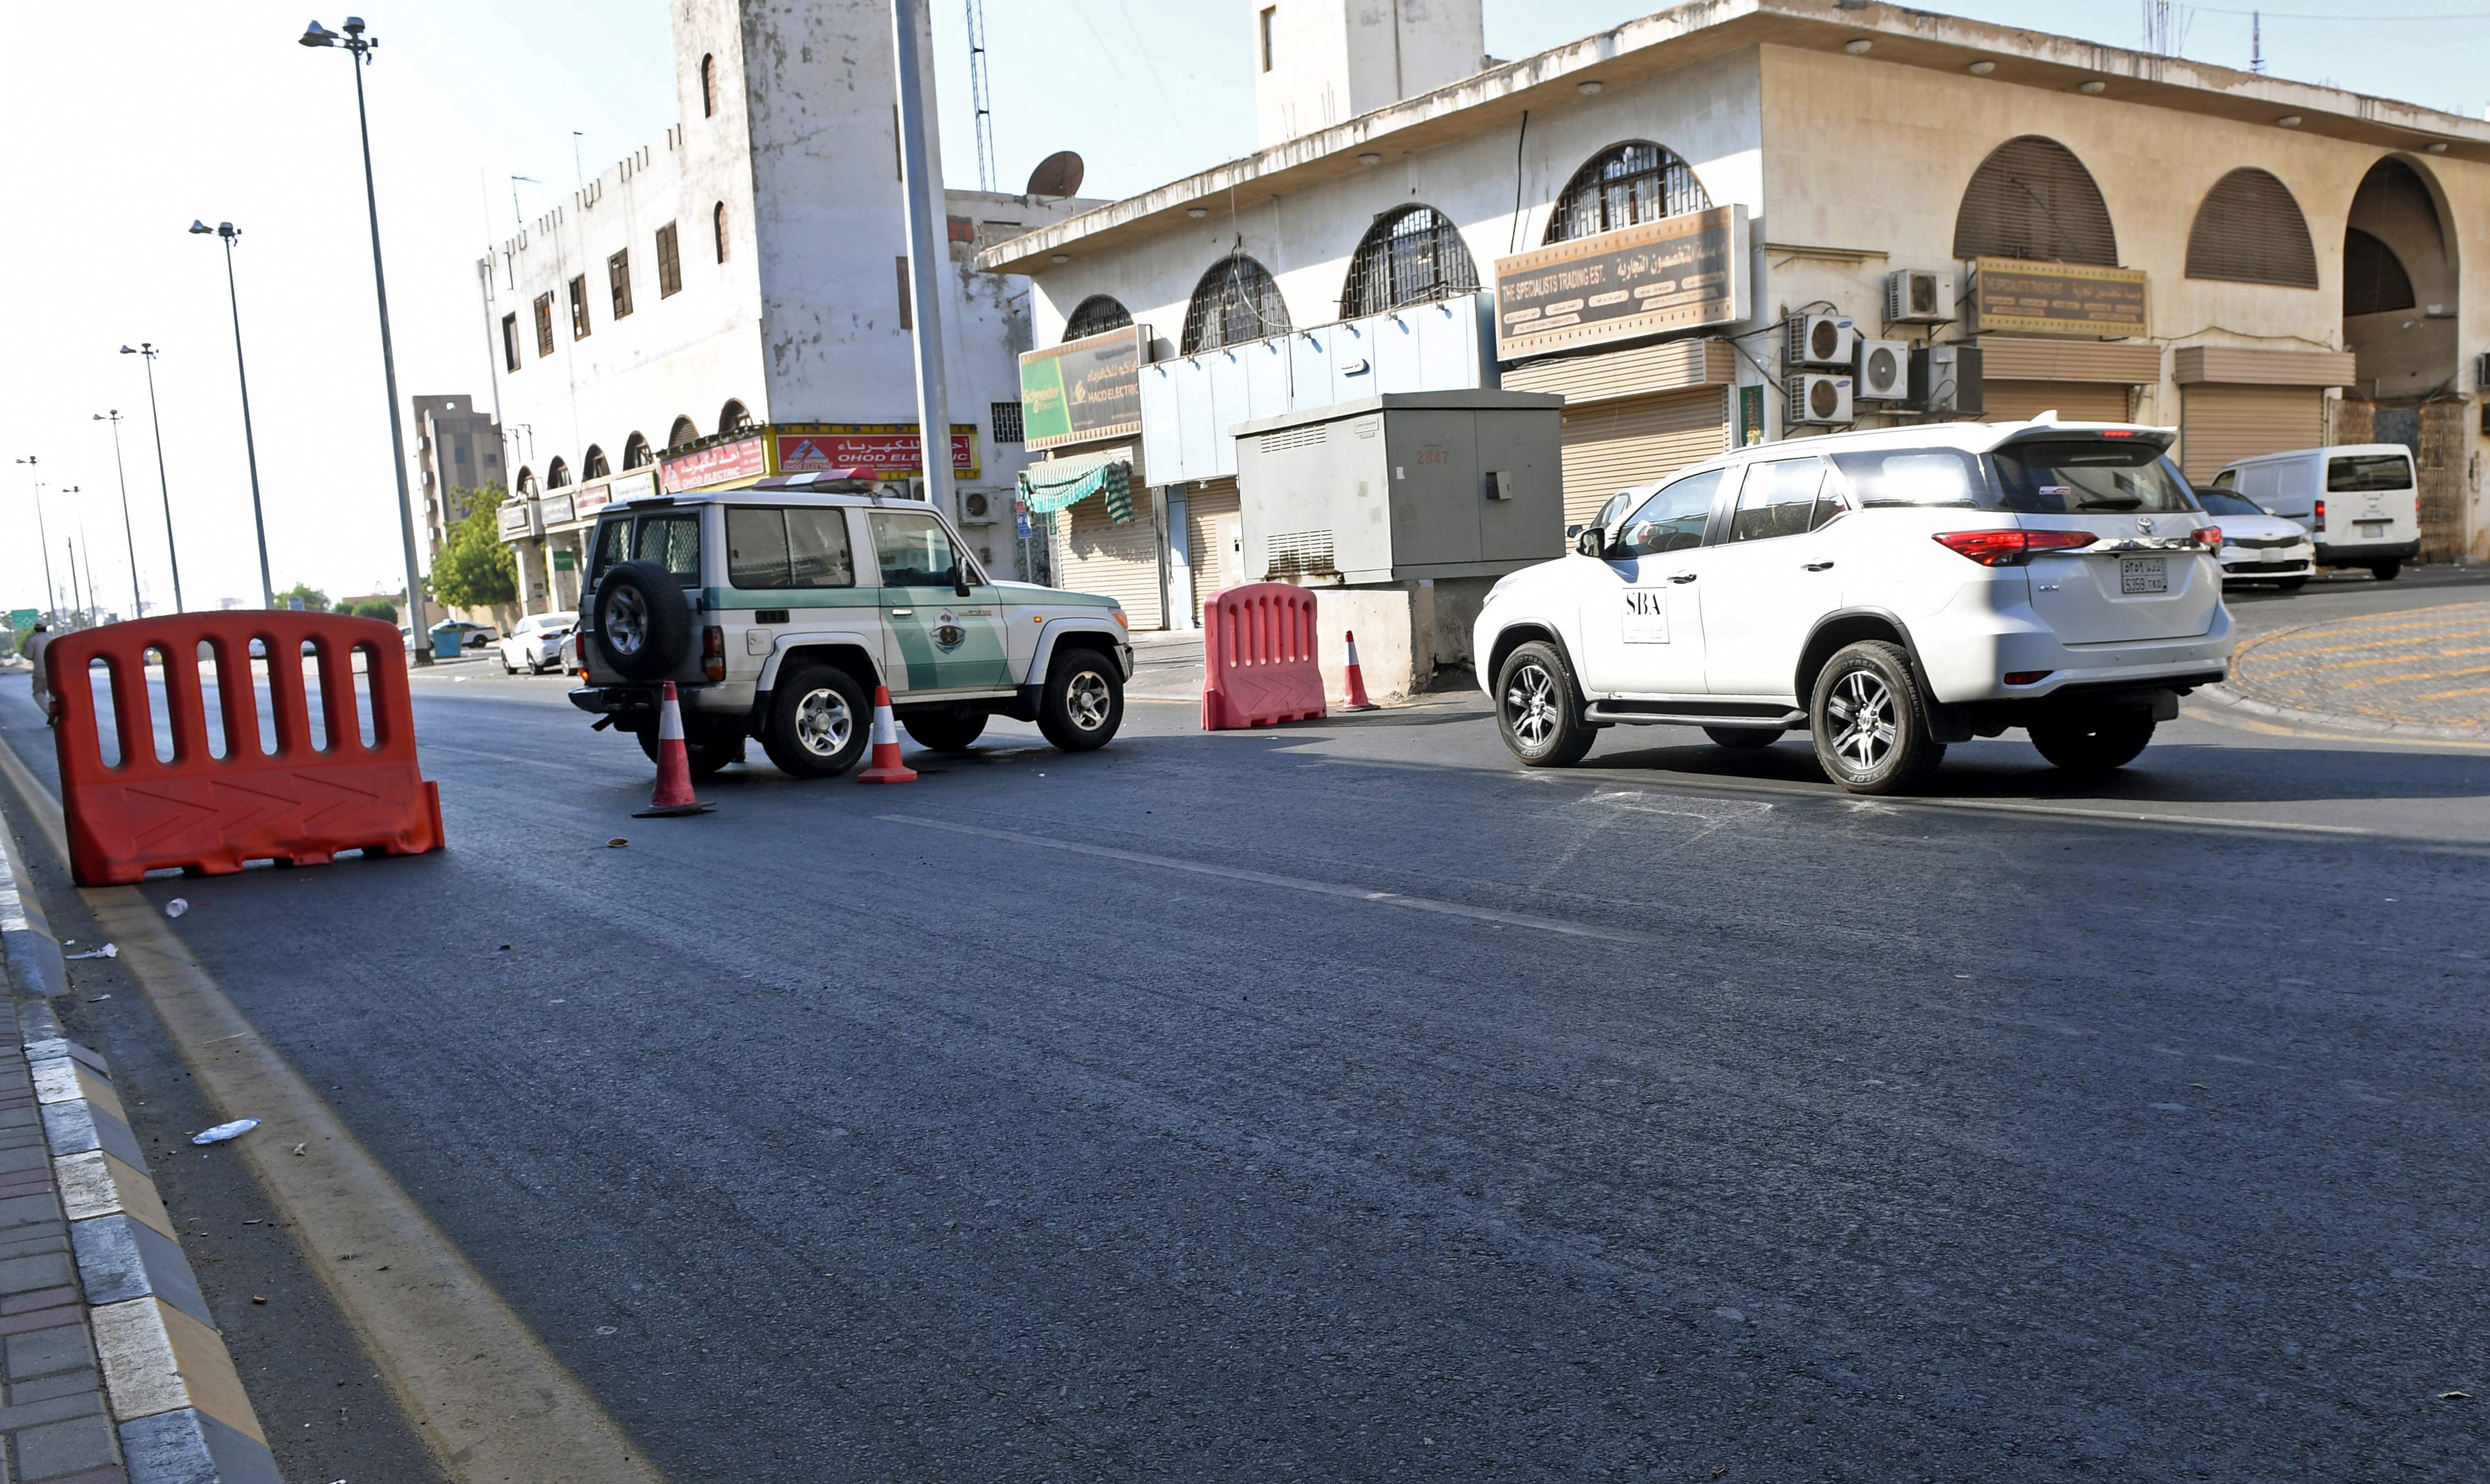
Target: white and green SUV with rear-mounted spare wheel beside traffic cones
(778,611)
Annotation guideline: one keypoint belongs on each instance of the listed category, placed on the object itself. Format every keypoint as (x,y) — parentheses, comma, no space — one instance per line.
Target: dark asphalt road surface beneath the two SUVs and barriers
(1346,1104)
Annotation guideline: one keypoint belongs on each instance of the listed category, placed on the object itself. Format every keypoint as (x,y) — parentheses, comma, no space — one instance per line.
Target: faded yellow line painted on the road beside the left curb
(474,1381)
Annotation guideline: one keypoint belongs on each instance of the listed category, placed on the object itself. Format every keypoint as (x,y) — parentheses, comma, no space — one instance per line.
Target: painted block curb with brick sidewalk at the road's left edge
(106,1256)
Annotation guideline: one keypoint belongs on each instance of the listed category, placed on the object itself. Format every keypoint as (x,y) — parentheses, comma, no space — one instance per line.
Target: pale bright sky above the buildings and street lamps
(213,113)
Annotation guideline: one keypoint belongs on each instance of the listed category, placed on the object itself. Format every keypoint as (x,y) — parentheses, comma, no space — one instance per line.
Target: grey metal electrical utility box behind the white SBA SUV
(1386,489)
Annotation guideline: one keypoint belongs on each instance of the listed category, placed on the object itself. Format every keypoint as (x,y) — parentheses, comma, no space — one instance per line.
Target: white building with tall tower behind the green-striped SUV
(738,293)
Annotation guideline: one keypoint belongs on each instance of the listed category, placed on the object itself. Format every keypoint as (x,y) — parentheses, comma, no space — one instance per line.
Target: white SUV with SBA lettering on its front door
(1889,591)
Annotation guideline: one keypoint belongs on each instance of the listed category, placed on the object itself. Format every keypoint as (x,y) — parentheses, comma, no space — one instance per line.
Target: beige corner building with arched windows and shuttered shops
(2115,235)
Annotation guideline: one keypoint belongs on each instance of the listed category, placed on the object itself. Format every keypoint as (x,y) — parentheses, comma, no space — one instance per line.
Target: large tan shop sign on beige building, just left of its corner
(1680,273)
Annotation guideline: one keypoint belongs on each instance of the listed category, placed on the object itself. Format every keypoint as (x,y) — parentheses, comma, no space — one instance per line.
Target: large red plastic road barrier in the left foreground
(210,815)
